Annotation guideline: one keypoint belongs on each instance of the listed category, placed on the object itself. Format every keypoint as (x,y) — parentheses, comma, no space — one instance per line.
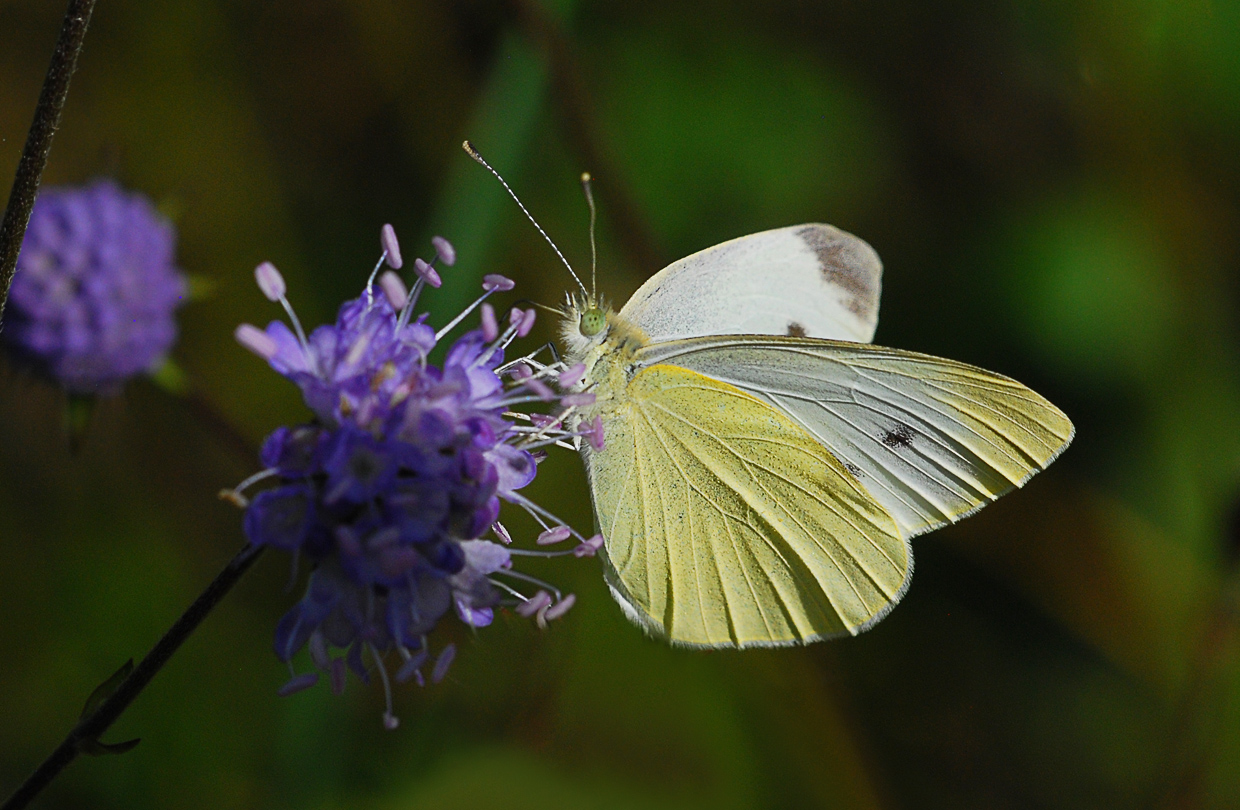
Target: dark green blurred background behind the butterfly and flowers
(1056,192)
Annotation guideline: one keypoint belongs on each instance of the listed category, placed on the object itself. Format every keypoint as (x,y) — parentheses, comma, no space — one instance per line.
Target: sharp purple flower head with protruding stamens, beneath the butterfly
(390,492)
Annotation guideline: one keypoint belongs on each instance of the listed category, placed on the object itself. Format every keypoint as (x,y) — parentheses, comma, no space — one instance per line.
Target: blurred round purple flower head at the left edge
(96,290)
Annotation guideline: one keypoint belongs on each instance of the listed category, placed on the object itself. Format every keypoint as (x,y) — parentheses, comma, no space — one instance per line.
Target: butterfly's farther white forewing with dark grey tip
(810,281)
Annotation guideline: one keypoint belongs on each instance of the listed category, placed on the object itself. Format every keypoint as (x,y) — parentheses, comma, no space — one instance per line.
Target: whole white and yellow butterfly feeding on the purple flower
(764,466)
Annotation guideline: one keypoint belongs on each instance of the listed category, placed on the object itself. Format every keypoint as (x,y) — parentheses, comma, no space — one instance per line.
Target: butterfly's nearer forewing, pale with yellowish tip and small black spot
(931,440)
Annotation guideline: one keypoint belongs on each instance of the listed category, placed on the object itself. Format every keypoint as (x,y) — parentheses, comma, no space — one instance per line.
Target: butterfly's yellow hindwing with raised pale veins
(728,525)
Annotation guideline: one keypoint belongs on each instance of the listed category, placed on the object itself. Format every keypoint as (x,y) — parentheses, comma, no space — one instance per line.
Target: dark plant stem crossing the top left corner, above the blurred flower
(39,141)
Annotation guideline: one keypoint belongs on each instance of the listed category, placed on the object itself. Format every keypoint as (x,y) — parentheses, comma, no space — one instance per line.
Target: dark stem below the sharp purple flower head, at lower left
(89,731)
